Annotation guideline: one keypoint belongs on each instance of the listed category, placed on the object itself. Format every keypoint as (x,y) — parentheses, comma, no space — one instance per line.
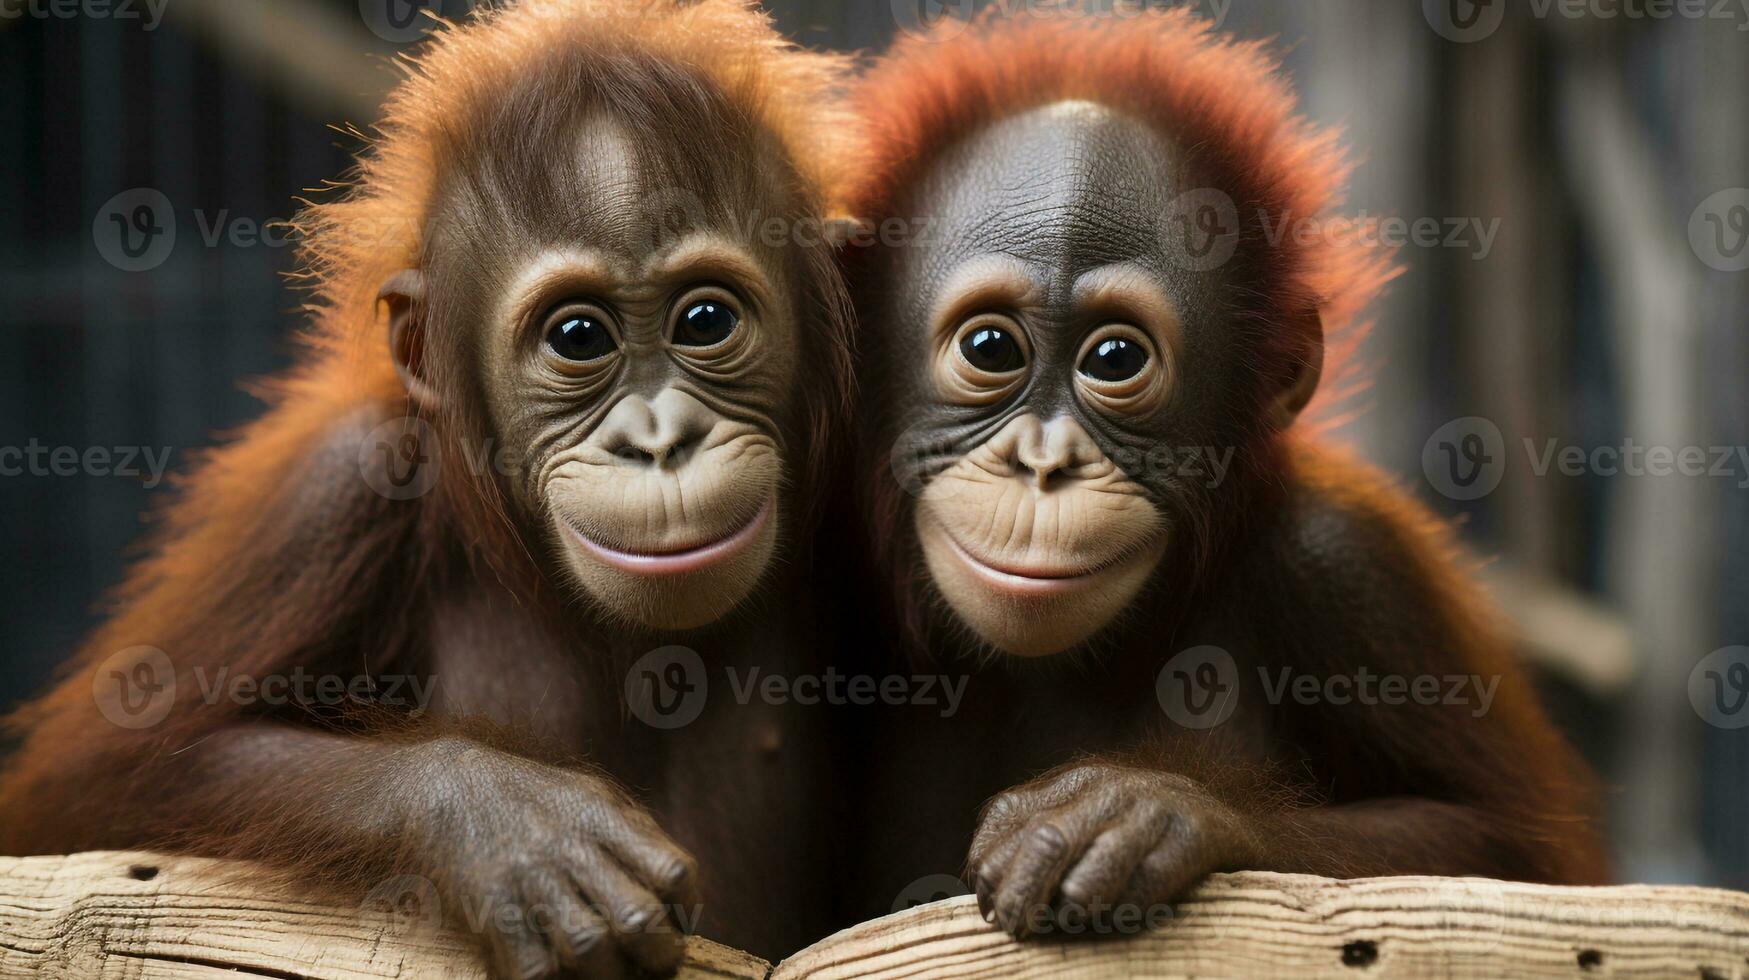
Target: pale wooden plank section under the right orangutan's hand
(1264,925)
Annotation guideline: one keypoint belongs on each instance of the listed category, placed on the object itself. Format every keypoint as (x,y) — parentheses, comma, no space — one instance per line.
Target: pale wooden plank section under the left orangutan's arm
(157,918)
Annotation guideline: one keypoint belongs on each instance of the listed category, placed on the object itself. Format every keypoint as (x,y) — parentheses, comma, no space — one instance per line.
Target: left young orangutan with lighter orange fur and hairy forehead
(580,256)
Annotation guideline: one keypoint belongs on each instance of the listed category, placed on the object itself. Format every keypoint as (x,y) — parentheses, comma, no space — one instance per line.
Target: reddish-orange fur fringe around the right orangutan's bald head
(1222,97)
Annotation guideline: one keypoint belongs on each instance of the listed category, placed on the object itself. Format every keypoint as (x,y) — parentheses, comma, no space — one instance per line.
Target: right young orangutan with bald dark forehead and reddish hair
(1094,284)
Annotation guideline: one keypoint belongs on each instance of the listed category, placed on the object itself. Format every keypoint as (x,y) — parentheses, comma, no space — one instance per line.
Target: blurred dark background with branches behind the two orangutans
(1559,370)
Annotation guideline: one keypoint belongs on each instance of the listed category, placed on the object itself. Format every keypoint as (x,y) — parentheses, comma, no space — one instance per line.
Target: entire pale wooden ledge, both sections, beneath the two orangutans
(162,918)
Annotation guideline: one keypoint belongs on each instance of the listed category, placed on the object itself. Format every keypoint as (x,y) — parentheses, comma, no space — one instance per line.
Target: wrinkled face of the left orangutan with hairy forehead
(632,375)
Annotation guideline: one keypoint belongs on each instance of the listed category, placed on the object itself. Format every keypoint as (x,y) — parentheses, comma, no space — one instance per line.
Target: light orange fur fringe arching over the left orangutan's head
(359,241)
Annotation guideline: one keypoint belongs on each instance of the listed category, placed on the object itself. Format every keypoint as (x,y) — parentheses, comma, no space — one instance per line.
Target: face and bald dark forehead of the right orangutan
(1049,246)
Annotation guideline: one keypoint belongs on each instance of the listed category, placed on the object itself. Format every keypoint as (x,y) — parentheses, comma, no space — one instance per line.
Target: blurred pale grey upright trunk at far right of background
(1659,529)
